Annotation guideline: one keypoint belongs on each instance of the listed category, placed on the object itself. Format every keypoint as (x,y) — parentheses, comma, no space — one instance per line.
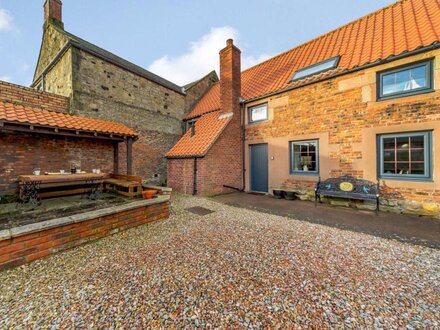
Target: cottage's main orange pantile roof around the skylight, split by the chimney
(396,29)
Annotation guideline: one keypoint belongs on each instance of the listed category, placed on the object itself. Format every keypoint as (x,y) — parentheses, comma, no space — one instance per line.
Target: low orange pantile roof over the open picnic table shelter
(25,115)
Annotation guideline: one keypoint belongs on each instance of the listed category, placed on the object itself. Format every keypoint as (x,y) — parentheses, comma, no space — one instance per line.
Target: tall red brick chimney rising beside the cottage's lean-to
(230,79)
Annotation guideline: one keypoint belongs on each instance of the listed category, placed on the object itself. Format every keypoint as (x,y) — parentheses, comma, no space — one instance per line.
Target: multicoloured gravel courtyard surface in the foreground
(233,268)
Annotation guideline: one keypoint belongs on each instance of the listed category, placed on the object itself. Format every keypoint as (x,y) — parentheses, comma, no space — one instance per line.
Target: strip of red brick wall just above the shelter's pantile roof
(30,97)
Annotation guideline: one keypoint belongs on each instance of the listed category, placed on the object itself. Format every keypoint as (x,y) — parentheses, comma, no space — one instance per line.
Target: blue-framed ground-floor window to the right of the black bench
(405,156)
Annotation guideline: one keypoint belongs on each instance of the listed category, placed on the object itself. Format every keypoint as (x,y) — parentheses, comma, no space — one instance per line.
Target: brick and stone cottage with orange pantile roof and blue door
(362,100)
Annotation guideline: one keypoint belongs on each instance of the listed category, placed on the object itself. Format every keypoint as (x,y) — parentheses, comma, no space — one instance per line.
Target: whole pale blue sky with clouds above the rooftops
(178,39)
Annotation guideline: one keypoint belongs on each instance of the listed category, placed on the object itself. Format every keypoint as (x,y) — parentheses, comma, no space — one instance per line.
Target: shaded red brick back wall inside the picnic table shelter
(22,153)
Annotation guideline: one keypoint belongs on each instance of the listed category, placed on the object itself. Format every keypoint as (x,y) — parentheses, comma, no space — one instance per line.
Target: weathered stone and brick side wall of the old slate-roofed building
(105,91)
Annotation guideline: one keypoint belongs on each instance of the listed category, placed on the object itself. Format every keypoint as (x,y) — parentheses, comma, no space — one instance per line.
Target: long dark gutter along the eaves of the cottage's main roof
(359,68)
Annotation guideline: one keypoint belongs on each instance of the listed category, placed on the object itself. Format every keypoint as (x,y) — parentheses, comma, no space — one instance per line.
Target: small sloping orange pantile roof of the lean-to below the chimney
(208,128)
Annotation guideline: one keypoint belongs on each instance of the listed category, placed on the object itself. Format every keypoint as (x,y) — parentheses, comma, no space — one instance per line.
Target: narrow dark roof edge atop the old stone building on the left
(119,61)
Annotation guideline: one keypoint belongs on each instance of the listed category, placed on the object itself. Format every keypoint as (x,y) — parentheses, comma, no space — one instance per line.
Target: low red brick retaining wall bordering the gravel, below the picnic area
(23,249)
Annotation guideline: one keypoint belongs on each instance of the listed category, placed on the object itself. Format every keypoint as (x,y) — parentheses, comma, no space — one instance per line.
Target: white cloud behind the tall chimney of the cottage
(201,57)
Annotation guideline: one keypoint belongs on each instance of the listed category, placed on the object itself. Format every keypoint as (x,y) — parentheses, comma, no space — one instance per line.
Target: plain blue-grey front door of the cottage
(259,167)
